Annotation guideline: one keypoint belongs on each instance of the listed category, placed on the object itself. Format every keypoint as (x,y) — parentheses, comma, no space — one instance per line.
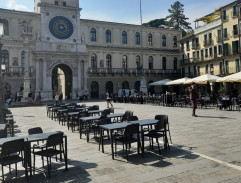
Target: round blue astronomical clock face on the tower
(61,27)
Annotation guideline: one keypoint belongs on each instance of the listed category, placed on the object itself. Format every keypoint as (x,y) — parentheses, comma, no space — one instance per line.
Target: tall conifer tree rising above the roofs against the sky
(177,19)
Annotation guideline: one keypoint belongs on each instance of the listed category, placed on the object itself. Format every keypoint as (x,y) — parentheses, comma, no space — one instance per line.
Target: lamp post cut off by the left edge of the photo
(1,78)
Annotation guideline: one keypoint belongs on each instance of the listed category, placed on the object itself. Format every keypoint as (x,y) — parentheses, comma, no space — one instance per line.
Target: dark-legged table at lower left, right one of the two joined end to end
(41,137)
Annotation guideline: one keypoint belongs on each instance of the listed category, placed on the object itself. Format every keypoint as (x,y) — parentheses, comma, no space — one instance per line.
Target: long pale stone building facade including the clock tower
(30,63)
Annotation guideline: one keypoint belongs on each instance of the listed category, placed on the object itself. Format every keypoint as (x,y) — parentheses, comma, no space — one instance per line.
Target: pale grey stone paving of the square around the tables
(203,150)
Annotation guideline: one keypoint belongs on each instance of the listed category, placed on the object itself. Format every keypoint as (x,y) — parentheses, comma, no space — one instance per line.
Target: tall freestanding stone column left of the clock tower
(26,37)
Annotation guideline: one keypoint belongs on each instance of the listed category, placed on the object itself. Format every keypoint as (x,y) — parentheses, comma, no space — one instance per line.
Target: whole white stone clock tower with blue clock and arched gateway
(59,46)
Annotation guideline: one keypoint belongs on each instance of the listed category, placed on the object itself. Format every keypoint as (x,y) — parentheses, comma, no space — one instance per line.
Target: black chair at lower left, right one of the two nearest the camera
(50,149)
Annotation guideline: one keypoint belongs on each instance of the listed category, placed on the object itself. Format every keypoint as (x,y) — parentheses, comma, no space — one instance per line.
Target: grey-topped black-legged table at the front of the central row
(118,126)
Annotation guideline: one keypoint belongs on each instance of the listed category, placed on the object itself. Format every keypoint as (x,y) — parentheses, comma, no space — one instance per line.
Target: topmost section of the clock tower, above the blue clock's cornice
(73,4)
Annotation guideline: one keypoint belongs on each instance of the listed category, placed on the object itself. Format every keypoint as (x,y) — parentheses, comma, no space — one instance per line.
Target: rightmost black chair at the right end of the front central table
(160,131)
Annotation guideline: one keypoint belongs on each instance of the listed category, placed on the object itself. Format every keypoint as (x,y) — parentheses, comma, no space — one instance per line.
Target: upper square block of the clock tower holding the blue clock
(60,20)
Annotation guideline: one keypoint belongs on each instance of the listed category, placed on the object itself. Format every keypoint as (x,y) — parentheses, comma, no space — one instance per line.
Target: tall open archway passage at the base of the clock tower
(62,80)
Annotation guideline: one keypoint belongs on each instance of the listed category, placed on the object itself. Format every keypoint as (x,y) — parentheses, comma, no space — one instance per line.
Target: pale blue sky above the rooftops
(127,11)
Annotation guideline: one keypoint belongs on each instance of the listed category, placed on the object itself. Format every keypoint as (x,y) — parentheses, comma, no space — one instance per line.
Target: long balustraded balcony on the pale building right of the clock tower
(136,72)
